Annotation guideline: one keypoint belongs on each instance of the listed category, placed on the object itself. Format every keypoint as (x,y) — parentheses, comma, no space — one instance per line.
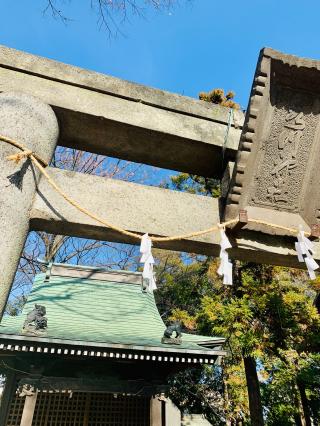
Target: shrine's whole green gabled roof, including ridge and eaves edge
(90,307)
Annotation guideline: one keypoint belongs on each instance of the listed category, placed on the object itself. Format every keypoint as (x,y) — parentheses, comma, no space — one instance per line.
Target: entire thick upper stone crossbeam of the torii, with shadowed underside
(113,117)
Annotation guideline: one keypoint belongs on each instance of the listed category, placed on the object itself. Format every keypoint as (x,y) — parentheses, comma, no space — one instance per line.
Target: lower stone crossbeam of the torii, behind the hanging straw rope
(141,209)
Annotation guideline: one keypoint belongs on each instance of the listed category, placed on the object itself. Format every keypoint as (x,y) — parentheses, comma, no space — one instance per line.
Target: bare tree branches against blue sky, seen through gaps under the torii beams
(65,249)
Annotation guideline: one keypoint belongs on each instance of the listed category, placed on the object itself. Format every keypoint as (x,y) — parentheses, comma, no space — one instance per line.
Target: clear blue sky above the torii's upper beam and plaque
(199,45)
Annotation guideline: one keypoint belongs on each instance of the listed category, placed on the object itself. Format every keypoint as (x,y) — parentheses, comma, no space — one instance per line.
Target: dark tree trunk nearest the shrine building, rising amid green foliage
(255,405)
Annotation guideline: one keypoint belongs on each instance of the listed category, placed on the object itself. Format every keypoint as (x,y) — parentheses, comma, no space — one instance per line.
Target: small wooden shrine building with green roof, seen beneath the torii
(89,350)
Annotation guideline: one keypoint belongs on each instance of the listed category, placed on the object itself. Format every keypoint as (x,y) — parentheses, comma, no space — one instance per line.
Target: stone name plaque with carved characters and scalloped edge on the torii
(276,176)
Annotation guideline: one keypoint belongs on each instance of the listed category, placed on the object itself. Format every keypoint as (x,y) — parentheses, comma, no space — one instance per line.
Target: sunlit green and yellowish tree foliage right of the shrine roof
(268,314)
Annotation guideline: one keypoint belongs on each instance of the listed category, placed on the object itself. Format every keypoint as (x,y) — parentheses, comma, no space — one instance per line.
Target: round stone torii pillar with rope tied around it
(33,123)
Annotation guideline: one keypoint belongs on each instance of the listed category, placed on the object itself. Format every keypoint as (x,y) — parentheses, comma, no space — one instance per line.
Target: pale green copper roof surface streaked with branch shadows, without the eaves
(97,310)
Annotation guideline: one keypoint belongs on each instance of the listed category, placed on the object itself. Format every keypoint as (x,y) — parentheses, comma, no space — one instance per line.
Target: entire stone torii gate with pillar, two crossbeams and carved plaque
(44,103)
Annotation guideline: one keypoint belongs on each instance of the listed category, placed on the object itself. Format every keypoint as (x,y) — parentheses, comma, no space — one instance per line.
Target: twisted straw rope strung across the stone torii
(41,164)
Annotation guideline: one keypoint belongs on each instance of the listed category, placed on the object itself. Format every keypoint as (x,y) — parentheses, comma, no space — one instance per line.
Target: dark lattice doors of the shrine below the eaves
(83,409)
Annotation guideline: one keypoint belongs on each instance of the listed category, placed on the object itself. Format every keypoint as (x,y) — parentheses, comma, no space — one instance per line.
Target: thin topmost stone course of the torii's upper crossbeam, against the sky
(79,77)
